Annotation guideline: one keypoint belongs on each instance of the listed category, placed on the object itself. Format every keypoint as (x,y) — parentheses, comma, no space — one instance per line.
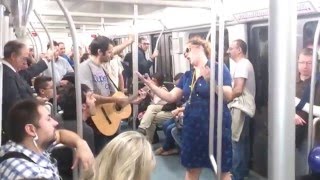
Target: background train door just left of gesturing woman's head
(164,60)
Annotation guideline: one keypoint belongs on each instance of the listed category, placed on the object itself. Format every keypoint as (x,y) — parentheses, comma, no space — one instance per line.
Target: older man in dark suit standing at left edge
(15,87)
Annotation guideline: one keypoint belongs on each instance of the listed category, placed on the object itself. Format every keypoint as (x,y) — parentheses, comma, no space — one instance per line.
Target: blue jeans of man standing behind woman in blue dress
(241,153)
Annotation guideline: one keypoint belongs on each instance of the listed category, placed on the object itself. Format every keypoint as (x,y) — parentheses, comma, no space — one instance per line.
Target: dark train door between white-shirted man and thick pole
(258,55)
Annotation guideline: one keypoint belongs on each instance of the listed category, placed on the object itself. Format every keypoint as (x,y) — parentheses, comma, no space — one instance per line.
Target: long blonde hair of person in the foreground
(129,156)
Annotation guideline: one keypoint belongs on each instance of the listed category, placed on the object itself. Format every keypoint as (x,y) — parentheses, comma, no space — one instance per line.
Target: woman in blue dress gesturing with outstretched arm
(195,135)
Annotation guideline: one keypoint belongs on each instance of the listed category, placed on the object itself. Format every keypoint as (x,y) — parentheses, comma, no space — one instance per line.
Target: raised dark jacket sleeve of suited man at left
(33,71)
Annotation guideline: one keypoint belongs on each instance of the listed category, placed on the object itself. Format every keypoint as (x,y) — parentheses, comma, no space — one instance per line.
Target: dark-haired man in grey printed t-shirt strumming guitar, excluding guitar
(94,75)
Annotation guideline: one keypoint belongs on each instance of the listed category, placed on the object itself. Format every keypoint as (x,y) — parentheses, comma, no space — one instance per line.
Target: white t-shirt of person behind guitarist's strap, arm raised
(114,68)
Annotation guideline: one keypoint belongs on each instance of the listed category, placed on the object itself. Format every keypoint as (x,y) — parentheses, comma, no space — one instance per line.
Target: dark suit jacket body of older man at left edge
(15,88)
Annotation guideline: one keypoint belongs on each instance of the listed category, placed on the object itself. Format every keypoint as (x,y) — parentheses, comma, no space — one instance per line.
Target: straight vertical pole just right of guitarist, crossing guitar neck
(135,64)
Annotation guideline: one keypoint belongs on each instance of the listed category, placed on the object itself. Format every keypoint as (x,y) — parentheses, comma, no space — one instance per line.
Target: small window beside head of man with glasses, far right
(309,30)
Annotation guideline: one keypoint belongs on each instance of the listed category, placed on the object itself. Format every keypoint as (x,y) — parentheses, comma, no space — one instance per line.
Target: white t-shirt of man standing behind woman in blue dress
(244,69)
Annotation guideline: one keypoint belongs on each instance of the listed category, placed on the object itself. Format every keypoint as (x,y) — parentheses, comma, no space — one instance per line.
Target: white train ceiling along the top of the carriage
(116,15)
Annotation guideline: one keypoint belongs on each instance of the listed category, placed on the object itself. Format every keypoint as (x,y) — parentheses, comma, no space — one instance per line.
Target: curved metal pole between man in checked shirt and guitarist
(77,73)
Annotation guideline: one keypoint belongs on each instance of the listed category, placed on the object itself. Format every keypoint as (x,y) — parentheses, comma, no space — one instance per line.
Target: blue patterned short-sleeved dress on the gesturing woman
(195,133)
